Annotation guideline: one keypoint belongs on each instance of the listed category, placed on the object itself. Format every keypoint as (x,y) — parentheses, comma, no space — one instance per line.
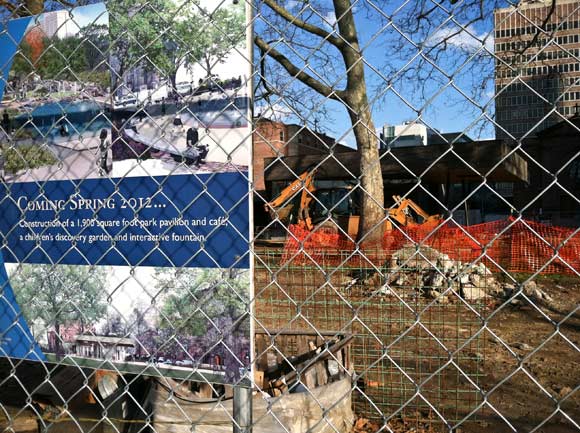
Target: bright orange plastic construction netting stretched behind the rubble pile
(514,245)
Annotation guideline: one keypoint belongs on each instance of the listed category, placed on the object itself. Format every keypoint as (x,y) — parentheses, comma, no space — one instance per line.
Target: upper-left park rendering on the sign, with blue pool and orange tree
(54,105)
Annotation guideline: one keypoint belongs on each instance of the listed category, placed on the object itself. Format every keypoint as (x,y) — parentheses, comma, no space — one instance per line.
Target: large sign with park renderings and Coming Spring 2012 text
(125,211)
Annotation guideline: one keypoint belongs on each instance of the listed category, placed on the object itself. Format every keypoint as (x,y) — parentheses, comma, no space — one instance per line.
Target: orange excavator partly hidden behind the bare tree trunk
(309,206)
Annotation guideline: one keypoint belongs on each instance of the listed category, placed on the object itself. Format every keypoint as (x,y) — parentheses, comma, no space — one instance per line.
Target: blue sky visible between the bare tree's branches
(443,112)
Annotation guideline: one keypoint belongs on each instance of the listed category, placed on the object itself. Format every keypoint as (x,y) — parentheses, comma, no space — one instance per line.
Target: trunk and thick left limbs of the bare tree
(351,93)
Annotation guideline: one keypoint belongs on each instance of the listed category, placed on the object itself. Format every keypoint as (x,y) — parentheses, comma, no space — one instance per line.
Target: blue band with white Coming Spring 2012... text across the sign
(186,221)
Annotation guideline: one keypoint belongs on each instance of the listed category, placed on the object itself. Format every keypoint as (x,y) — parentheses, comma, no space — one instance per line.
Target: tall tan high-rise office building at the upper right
(537,65)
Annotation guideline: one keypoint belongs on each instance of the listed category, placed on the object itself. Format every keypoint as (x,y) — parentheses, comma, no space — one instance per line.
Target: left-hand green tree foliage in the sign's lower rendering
(60,295)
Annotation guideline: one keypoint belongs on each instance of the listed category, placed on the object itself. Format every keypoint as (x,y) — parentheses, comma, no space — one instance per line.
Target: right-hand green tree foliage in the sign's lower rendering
(193,297)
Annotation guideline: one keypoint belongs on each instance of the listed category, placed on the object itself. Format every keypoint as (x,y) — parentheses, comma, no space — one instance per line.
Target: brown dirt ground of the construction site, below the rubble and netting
(482,366)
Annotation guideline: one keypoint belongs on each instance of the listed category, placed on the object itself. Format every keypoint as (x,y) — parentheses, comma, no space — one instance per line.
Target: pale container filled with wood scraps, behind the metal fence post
(306,392)
